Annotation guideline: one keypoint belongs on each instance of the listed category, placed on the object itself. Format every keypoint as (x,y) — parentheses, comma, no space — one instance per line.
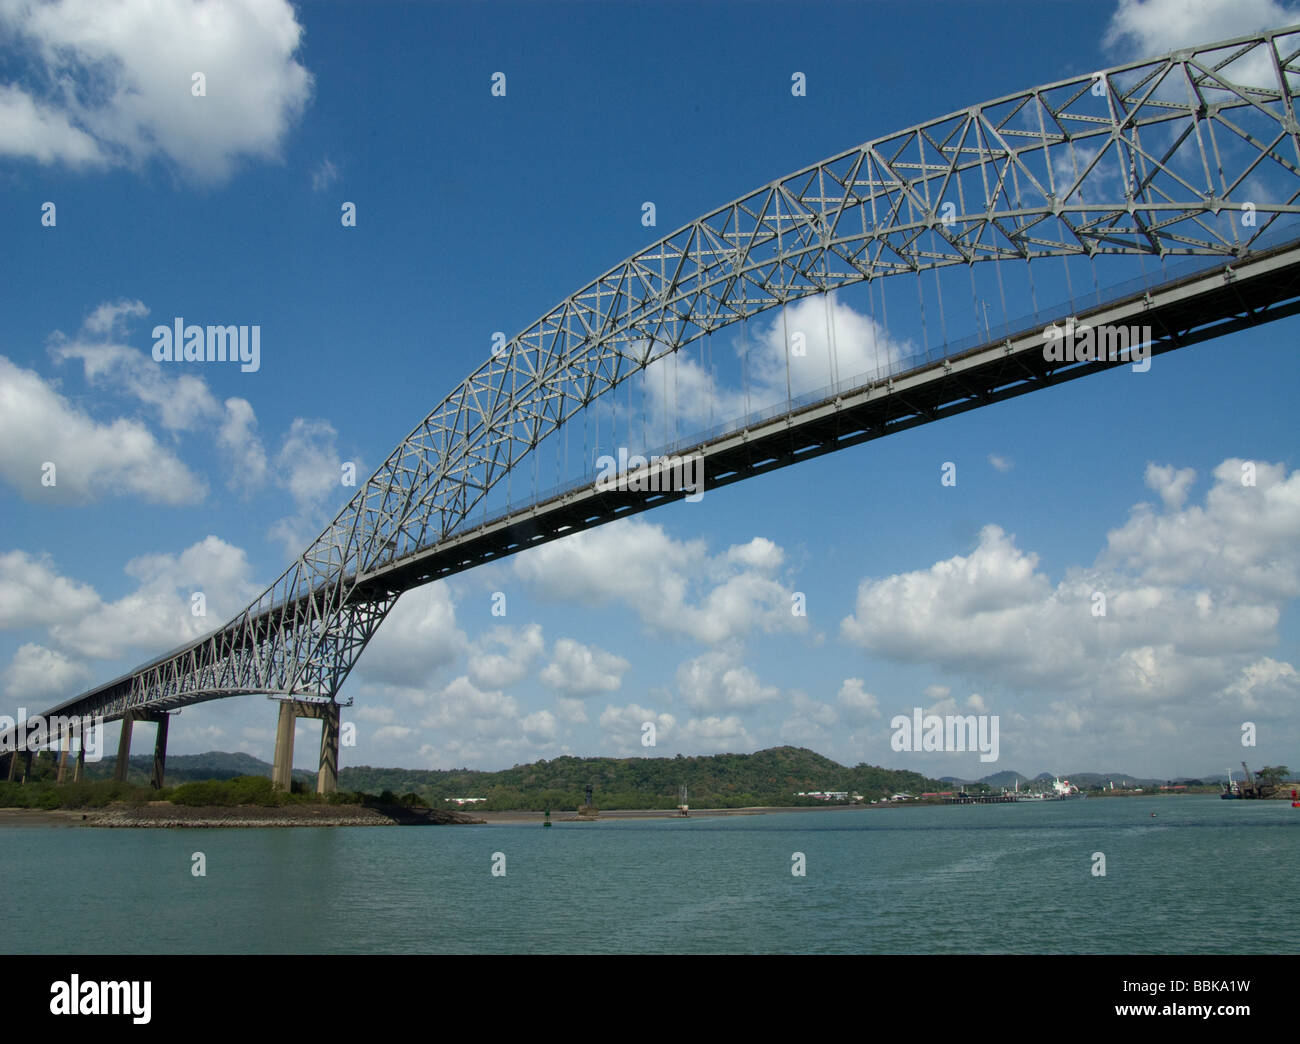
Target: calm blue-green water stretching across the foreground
(1202,877)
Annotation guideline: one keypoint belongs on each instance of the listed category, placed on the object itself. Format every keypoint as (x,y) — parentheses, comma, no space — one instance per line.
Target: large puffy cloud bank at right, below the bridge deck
(1194,597)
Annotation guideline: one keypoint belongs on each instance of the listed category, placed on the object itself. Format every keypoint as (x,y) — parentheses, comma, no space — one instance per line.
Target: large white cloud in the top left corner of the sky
(112,83)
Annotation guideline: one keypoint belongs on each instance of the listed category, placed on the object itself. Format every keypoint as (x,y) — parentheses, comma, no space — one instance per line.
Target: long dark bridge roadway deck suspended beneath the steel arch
(1249,292)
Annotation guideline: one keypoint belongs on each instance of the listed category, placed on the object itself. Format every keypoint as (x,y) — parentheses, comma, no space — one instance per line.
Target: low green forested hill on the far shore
(720,781)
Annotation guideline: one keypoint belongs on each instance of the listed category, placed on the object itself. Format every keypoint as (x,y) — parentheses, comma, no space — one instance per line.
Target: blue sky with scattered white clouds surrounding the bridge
(479,214)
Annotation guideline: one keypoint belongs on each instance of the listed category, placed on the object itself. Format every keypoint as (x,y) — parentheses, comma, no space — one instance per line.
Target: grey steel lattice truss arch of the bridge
(1156,158)
